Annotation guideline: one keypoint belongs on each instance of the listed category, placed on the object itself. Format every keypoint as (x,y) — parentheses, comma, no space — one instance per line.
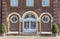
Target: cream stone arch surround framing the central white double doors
(33,13)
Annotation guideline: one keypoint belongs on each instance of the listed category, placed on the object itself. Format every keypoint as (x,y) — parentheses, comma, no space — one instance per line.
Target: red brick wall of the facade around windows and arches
(21,9)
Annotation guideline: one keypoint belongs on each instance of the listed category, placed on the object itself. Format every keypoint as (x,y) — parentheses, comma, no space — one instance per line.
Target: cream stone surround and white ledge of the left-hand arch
(9,23)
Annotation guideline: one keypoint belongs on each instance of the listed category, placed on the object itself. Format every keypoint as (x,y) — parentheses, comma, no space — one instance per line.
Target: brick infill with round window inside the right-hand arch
(45,23)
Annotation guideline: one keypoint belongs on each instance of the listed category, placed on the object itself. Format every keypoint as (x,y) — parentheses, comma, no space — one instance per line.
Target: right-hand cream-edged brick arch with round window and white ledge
(46,20)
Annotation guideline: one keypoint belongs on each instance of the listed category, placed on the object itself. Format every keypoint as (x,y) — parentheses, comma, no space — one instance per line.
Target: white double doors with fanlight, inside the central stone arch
(29,24)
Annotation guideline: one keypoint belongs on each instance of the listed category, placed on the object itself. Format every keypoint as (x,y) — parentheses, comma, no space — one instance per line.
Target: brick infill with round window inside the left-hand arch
(14,23)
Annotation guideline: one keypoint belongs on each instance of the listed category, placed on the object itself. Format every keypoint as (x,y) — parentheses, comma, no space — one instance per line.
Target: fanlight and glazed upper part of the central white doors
(30,21)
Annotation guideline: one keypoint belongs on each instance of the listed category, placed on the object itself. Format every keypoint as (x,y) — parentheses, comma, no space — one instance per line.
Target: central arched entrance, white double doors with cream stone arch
(30,23)
